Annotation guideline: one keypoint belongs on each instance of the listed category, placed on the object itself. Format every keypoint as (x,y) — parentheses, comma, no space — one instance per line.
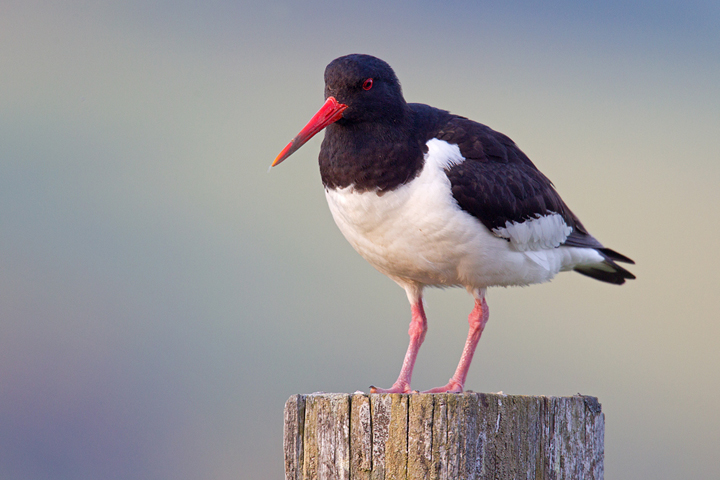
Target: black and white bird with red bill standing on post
(434,199)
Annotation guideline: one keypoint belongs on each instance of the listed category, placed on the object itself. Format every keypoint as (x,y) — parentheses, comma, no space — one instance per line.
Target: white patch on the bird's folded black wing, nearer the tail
(540,233)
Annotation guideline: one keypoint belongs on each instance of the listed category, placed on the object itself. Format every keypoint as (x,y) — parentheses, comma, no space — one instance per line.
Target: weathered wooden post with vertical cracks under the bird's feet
(338,436)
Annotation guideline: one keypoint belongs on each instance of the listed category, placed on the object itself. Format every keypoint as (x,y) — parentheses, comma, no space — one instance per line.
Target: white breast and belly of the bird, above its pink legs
(417,233)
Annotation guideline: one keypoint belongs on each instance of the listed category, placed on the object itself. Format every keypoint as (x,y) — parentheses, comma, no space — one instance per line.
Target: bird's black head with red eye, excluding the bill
(368,86)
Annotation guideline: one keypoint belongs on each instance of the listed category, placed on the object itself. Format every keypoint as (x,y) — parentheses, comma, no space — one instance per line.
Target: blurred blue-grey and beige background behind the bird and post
(162,295)
